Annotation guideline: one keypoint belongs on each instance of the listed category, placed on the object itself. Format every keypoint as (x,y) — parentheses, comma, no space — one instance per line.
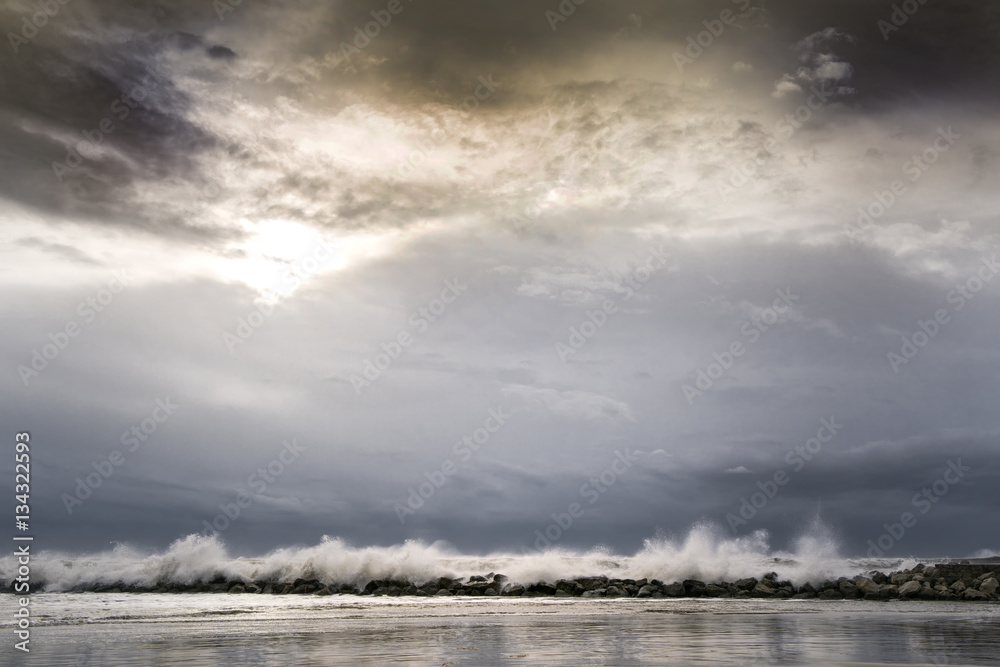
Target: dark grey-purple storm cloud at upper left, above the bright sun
(55,90)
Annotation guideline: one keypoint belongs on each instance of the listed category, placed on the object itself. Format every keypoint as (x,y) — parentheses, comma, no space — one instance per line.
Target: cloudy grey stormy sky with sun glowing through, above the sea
(480,263)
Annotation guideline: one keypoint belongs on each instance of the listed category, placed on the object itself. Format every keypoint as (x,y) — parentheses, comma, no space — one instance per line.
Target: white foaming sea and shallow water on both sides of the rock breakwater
(110,628)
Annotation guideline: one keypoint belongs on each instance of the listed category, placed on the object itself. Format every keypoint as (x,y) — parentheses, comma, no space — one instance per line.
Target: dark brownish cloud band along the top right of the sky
(433,48)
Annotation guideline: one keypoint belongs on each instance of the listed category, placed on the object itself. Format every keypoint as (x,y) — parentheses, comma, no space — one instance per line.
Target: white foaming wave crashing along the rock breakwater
(705,553)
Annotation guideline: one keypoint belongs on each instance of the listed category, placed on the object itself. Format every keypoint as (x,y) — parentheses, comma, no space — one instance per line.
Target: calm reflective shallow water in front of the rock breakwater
(204,629)
